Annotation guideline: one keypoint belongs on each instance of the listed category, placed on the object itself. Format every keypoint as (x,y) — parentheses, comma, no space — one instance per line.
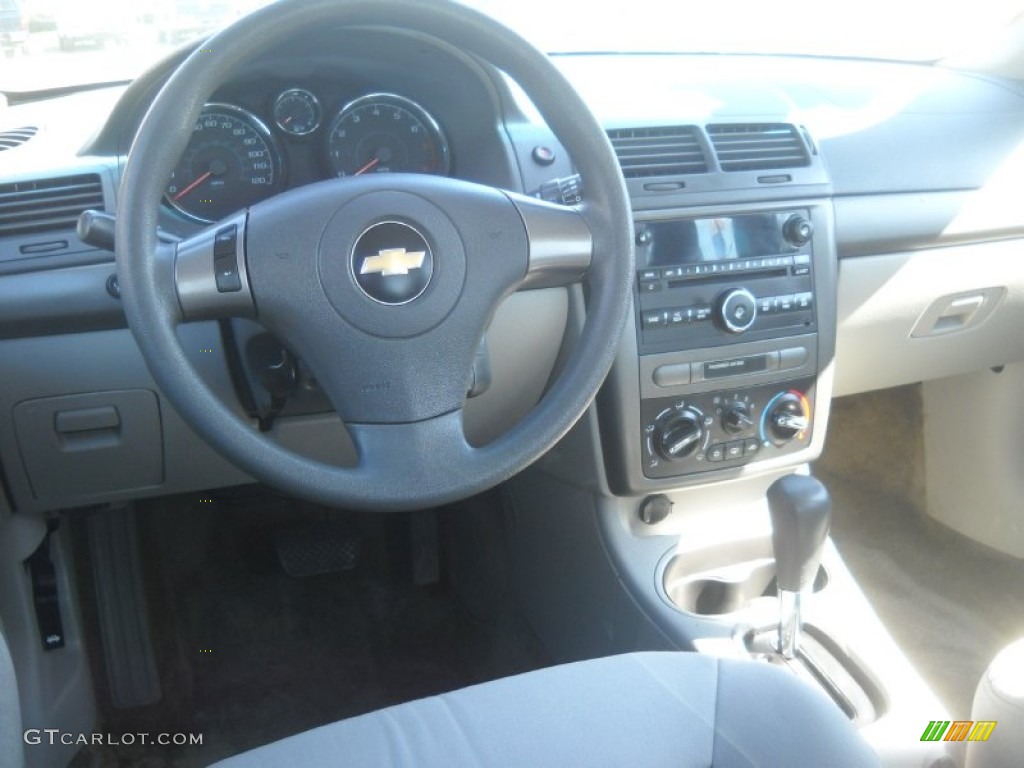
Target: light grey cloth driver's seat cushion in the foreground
(679,710)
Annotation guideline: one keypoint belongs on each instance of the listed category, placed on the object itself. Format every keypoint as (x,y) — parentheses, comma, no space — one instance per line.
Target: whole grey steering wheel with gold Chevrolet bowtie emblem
(383,285)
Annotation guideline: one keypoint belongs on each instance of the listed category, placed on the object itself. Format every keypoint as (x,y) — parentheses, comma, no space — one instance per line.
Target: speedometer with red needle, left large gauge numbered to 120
(231,163)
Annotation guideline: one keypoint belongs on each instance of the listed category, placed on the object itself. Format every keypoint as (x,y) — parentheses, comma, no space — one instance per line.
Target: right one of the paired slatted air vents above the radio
(758,147)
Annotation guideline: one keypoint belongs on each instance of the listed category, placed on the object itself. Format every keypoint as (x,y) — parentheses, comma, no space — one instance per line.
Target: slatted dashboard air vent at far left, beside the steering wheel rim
(48,205)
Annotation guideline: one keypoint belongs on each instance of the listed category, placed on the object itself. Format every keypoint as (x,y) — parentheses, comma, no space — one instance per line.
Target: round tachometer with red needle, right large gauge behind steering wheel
(386,134)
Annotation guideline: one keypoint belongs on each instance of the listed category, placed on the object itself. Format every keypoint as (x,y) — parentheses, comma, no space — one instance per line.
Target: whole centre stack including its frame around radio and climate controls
(727,370)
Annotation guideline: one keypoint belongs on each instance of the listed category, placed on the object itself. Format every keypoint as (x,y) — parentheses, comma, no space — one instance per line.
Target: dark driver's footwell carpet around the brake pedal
(249,656)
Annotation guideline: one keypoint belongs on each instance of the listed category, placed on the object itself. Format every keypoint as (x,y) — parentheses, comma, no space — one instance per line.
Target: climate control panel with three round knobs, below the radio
(715,431)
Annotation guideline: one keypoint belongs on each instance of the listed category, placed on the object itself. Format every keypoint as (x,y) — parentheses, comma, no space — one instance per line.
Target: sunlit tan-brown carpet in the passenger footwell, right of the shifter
(950,603)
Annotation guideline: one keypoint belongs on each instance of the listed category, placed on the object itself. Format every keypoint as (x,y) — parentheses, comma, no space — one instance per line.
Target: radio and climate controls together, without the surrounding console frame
(727,332)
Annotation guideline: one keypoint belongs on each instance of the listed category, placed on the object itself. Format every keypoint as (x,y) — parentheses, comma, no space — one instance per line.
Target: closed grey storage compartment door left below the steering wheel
(91,445)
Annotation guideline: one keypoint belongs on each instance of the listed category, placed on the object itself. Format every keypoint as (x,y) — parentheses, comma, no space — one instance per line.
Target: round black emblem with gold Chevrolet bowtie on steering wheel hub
(393,264)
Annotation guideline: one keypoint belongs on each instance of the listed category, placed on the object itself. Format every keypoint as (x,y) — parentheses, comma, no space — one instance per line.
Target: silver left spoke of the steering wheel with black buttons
(211,277)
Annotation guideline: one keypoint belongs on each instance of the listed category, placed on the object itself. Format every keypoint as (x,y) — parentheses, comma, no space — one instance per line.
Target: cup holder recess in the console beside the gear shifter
(716,583)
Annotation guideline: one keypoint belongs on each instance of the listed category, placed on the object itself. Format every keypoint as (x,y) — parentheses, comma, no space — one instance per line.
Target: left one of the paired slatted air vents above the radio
(659,152)
